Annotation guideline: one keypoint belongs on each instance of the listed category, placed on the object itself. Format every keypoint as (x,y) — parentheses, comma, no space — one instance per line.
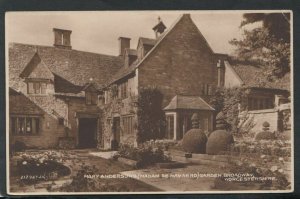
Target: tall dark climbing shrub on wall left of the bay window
(151,117)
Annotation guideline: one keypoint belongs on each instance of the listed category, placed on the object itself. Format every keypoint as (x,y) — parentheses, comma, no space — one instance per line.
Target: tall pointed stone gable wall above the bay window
(180,64)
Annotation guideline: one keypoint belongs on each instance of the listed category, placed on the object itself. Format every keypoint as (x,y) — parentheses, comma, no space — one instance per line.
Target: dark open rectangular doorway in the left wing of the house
(87,133)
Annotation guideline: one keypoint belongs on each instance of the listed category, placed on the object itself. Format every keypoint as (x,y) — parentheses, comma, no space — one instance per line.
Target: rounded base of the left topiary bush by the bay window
(194,141)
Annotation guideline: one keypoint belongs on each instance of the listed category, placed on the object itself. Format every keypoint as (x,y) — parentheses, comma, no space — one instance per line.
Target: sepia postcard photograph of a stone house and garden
(110,102)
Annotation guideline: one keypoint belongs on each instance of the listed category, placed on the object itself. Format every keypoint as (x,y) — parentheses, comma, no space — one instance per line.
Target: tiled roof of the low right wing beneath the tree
(252,75)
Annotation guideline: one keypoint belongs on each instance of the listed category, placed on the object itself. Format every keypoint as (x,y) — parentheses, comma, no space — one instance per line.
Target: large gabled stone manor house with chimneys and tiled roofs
(61,96)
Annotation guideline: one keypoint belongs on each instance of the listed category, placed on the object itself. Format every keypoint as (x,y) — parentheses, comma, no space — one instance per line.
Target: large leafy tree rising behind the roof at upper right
(268,45)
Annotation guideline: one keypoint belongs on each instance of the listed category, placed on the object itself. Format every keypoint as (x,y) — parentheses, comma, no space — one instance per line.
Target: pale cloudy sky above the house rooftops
(98,31)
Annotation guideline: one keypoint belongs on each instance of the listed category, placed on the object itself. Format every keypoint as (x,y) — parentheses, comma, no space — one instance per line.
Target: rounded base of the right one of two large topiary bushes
(219,140)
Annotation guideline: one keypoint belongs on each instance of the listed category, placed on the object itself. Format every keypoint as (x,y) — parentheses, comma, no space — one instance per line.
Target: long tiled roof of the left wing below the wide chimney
(76,67)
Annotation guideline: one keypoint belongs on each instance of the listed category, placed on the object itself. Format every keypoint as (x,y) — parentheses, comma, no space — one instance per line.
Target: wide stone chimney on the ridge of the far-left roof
(62,38)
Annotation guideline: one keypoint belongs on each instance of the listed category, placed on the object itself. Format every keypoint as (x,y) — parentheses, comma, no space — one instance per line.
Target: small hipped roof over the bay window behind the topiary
(188,103)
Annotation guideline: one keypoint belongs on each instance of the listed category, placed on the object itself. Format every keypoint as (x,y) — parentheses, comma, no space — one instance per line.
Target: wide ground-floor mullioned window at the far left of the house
(25,125)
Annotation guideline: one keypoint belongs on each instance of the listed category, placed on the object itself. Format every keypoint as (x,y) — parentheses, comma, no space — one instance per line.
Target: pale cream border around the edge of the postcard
(166,192)
